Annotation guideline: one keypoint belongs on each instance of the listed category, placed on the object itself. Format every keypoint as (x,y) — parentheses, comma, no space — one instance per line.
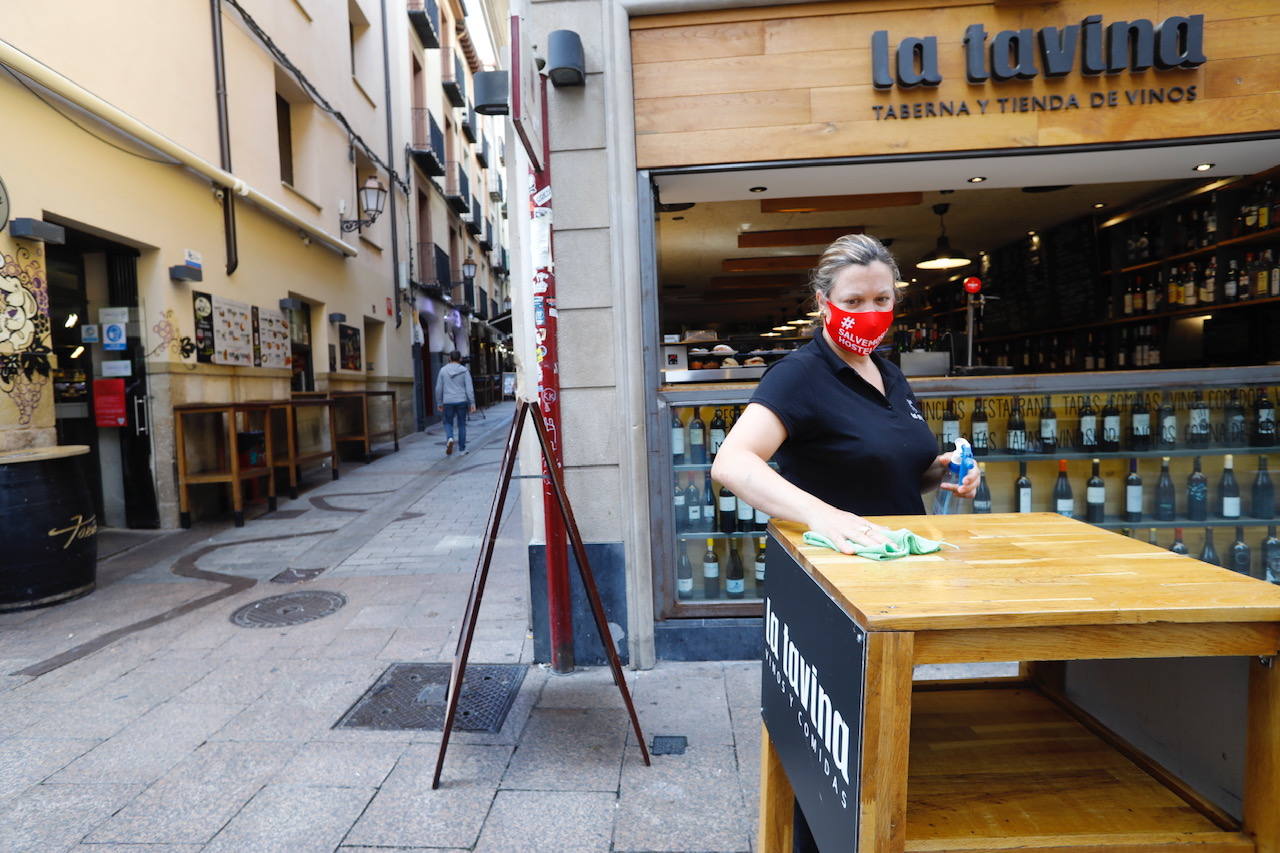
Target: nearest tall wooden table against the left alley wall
(228,469)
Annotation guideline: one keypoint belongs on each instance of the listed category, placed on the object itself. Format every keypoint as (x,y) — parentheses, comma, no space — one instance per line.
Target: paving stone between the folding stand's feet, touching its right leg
(569,750)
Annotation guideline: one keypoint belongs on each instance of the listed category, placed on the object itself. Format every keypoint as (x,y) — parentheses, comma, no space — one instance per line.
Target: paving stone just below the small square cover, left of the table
(691,802)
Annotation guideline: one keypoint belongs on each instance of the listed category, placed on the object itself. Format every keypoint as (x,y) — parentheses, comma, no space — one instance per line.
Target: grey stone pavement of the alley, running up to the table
(162,727)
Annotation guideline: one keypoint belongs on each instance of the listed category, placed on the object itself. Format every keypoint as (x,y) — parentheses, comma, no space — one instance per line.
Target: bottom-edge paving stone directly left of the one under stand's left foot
(292,819)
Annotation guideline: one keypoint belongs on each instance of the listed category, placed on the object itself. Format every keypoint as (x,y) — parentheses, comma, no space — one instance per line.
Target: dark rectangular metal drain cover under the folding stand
(413,696)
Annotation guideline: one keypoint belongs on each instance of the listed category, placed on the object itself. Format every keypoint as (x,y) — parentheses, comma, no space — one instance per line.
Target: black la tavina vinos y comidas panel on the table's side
(812,697)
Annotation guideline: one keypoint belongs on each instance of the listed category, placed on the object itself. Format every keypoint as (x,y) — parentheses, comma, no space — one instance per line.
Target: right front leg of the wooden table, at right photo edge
(1263,754)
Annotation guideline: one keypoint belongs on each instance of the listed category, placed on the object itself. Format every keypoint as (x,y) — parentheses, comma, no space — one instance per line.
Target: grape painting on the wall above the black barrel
(25,334)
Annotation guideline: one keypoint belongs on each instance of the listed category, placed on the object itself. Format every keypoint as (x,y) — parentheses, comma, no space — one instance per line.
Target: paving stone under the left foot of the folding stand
(406,813)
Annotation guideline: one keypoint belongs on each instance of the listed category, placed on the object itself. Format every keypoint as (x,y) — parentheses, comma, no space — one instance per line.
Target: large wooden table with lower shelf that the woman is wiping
(1014,764)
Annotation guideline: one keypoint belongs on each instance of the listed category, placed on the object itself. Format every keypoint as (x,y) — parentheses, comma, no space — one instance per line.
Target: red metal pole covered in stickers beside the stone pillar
(559,604)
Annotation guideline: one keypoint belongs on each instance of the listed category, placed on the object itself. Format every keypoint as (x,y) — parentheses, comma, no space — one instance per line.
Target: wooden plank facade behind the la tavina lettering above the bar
(819,60)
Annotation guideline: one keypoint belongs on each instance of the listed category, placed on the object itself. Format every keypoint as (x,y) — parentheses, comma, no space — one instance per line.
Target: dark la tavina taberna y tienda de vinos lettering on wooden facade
(1091,48)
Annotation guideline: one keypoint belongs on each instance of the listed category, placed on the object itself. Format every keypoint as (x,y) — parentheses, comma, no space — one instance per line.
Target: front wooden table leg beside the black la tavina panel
(886,741)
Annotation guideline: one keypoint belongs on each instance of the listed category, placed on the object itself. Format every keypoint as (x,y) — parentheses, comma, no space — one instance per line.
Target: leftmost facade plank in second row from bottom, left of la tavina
(734,111)
